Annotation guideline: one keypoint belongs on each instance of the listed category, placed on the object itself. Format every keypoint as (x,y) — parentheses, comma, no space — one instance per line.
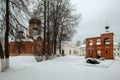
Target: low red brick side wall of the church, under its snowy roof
(17,48)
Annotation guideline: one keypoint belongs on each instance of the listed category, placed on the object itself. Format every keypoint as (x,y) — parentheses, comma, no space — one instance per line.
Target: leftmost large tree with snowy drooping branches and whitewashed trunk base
(10,20)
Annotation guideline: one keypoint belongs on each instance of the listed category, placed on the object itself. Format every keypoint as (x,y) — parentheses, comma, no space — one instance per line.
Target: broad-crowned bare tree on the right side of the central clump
(63,20)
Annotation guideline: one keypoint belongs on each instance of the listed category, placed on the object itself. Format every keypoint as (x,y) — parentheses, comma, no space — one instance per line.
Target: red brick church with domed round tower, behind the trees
(30,44)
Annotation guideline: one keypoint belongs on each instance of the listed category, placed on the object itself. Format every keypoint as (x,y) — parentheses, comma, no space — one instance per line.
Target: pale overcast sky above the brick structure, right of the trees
(93,17)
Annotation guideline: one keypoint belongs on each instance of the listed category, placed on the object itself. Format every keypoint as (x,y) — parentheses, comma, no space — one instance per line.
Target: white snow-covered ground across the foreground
(61,68)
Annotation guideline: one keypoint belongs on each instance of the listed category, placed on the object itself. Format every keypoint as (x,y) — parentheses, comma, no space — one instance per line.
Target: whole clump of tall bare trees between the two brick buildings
(58,21)
